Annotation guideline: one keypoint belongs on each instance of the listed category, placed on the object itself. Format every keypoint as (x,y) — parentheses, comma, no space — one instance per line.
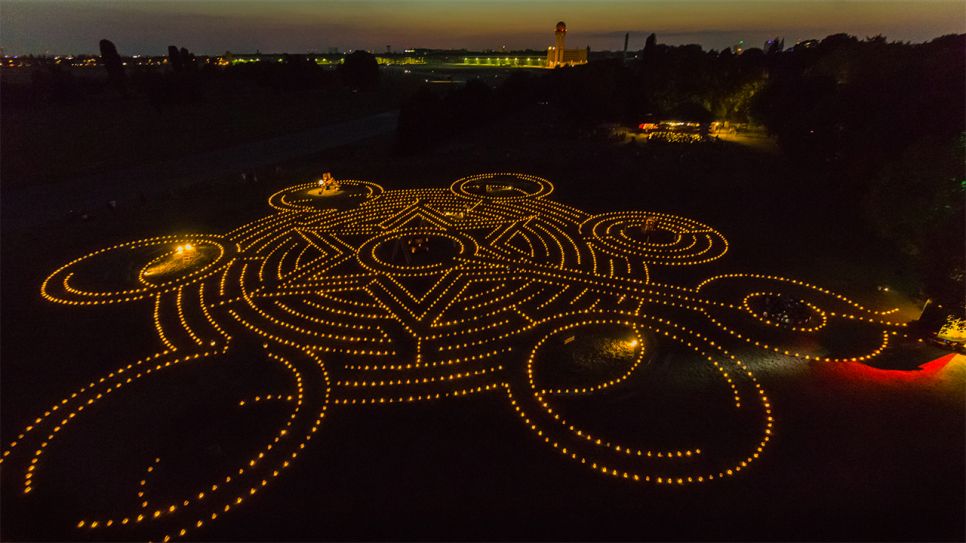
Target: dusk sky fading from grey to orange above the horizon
(212,26)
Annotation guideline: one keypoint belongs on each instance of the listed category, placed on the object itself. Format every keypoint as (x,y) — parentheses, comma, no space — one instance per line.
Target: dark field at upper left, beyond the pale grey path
(102,132)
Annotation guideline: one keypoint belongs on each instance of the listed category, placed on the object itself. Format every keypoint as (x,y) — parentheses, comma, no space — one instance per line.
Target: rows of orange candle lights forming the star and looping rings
(369,297)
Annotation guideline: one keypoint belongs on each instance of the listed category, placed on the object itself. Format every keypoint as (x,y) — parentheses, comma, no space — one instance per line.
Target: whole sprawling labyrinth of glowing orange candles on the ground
(355,297)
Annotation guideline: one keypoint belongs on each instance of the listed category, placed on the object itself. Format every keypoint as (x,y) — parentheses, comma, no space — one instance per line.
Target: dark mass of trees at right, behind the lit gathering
(881,123)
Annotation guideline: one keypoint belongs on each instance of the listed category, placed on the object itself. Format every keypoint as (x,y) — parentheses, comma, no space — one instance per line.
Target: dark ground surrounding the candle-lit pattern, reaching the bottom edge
(857,455)
